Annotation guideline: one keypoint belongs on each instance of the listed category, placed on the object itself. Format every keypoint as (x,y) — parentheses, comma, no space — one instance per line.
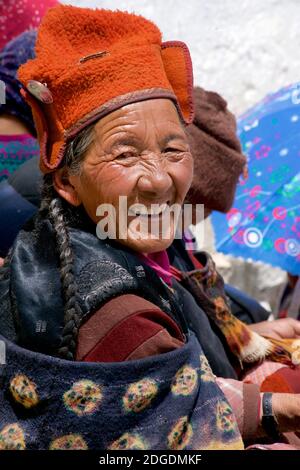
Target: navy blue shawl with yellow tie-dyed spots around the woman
(170,401)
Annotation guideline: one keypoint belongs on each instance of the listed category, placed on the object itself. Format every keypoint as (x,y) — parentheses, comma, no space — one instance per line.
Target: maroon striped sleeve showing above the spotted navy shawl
(126,328)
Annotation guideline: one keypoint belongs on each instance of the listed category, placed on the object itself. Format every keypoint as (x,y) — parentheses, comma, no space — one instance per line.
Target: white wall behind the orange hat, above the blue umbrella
(240,48)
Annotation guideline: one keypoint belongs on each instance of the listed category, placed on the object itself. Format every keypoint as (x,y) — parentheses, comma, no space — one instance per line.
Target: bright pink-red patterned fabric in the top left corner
(17,16)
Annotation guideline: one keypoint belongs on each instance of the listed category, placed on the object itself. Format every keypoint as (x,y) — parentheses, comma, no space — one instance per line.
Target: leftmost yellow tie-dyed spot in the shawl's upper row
(24,391)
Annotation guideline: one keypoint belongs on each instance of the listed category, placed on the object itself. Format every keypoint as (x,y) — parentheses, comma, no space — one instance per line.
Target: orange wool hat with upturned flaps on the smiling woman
(91,62)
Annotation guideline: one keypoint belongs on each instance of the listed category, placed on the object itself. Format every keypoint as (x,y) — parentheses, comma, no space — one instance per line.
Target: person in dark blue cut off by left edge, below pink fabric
(18,143)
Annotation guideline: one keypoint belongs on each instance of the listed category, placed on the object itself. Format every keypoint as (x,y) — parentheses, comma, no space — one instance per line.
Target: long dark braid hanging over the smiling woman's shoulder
(72,311)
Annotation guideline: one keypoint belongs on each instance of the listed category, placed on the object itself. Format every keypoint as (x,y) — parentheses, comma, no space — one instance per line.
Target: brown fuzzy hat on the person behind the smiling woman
(218,158)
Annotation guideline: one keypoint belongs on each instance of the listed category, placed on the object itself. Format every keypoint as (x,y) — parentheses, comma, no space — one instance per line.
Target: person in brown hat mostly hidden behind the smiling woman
(218,165)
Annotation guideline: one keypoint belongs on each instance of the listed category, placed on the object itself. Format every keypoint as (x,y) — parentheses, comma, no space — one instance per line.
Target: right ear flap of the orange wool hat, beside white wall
(178,66)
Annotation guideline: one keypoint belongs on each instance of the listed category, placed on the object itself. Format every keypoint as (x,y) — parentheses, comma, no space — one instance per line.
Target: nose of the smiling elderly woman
(156,181)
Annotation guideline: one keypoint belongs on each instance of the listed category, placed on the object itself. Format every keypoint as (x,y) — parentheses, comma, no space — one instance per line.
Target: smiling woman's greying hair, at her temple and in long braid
(57,211)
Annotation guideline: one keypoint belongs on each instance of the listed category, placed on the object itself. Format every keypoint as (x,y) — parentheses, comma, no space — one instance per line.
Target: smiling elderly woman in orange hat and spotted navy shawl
(96,331)
